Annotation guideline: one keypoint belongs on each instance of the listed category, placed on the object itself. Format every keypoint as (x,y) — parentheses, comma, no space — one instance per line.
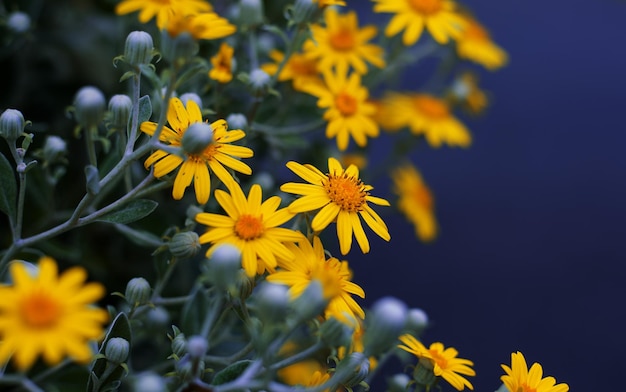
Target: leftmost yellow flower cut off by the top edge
(162,9)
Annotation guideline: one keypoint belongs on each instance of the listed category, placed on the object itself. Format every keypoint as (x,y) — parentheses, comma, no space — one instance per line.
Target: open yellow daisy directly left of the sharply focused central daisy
(251,226)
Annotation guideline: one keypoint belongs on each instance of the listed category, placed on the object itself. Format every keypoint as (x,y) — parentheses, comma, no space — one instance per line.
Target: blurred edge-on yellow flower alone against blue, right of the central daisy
(415,201)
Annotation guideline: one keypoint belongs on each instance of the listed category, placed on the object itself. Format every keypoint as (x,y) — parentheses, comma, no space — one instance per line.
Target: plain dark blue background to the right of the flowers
(531,255)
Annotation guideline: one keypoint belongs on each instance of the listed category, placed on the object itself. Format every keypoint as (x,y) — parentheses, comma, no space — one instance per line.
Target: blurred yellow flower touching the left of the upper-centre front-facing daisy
(299,68)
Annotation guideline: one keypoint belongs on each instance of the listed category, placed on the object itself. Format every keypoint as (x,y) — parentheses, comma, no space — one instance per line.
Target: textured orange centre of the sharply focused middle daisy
(347,192)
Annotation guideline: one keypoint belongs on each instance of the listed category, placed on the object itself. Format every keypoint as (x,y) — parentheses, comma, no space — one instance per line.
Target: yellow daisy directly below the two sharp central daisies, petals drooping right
(310,264)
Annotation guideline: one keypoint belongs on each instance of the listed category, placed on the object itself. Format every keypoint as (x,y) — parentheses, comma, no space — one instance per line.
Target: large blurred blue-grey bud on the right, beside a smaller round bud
(384,323)
